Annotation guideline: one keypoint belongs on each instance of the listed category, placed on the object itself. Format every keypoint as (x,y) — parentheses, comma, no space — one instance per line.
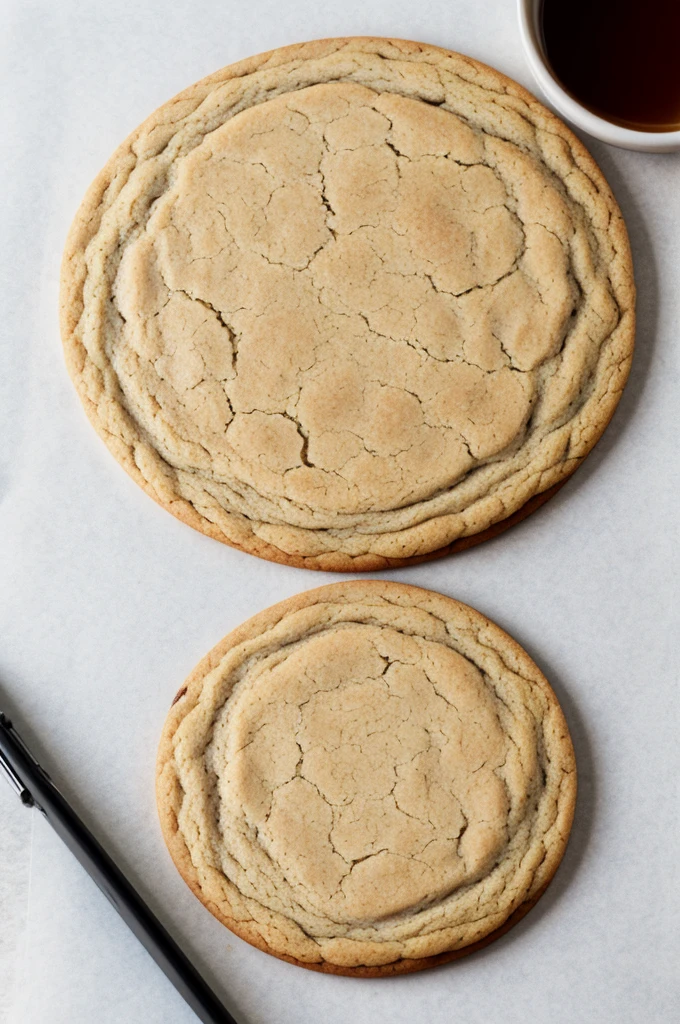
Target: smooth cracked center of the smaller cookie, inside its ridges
(370,769)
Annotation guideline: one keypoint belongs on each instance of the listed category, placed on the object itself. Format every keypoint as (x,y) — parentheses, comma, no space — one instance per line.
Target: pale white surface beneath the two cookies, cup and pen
(107,603)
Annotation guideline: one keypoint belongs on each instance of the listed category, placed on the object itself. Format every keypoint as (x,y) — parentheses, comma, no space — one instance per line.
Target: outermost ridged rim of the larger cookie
(74,275)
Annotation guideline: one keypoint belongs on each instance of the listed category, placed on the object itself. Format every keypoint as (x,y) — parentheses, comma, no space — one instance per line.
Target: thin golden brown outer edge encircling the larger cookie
(82,231)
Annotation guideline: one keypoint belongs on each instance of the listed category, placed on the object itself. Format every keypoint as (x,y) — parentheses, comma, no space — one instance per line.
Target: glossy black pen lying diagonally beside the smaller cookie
(37,790)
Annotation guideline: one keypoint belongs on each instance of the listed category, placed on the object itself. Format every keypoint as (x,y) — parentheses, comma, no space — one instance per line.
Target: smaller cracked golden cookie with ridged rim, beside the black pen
(367,780)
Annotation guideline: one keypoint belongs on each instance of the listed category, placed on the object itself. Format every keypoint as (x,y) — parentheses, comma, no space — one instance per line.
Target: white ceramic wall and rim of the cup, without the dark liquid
(646,142)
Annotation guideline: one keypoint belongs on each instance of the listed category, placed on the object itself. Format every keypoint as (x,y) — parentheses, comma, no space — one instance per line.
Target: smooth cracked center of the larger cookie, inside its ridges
(336,305)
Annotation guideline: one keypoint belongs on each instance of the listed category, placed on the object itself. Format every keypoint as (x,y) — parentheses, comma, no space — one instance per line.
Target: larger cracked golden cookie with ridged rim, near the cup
(350,304)
